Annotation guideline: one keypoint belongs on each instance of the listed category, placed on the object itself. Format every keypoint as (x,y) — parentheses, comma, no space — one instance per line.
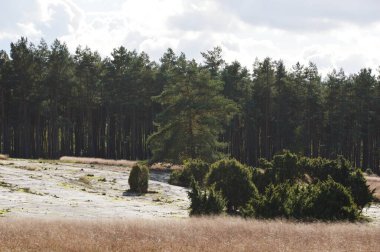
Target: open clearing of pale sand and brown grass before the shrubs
(63,206)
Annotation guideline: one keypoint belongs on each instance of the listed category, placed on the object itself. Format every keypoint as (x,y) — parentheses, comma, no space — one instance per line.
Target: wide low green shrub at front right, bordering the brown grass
(327,200)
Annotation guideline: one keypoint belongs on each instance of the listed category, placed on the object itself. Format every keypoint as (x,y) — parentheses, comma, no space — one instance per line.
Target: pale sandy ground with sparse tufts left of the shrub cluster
(33,188)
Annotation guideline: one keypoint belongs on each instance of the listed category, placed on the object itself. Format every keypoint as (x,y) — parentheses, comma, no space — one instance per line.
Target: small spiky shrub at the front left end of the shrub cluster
(206,201)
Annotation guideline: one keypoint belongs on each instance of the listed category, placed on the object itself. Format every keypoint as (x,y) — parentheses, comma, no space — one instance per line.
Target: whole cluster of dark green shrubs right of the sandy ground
(289,186)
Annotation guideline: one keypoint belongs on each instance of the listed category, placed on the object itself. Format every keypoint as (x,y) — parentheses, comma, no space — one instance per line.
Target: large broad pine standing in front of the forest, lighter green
(193,115)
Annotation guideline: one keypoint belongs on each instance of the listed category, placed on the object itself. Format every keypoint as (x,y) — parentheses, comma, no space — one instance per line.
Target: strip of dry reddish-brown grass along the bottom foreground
(213,234)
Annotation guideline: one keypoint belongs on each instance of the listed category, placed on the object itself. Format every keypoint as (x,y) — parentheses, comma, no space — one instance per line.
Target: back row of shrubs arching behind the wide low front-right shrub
(288,166)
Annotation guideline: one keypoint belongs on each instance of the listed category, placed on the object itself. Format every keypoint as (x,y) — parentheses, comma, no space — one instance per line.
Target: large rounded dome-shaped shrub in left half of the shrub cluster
(234,181)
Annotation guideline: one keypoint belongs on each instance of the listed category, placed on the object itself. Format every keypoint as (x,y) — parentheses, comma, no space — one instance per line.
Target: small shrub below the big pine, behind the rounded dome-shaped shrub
(193,169)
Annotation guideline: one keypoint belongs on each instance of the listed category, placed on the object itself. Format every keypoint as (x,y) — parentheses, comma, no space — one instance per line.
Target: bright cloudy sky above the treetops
(331,33)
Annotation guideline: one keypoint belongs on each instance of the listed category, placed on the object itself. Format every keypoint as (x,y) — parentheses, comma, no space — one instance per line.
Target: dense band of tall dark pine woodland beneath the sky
(54,103)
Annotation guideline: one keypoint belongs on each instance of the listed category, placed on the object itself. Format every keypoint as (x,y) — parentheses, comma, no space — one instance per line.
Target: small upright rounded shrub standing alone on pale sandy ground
(138,179)
